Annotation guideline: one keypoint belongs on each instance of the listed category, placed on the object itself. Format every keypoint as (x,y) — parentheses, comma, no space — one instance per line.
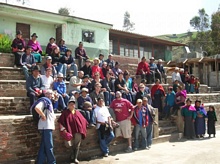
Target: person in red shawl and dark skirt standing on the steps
(157,94)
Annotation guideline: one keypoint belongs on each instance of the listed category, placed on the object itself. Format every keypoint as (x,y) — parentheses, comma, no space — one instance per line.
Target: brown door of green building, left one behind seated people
(25,29)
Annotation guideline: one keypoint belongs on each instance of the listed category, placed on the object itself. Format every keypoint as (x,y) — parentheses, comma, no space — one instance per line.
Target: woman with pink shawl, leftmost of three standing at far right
(189,115)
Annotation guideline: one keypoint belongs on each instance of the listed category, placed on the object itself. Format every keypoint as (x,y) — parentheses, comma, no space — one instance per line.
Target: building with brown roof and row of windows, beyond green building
(136,45)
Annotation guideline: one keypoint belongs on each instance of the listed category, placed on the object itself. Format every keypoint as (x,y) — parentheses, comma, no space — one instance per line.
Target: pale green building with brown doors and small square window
(94,34)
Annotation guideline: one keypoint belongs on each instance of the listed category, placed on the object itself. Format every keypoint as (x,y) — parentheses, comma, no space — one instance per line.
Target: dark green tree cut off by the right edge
(215,34)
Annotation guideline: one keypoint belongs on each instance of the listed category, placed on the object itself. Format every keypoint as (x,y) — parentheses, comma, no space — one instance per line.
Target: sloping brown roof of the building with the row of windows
(144,37)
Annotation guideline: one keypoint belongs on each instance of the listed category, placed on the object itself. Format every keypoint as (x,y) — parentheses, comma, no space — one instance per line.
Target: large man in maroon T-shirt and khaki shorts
(123,110)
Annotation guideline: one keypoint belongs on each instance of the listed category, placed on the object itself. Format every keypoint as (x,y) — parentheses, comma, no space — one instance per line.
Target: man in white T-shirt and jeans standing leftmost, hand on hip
(46,126)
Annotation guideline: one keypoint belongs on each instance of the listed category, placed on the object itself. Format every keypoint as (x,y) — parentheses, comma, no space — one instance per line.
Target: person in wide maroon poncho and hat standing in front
(71,121)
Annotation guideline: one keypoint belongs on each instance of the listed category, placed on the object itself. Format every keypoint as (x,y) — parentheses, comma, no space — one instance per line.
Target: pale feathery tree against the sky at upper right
(201,22)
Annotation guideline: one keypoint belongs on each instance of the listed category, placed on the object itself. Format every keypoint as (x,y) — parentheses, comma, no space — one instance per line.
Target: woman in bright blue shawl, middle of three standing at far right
(200,119)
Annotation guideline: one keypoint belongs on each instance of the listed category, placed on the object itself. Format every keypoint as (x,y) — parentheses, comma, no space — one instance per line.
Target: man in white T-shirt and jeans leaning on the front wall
(104,126)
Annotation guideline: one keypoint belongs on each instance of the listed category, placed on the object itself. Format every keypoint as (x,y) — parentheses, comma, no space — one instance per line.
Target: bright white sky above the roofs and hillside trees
(153,18)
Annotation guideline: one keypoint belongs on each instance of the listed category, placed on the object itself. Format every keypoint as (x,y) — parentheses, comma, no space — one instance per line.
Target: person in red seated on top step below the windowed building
(143,69)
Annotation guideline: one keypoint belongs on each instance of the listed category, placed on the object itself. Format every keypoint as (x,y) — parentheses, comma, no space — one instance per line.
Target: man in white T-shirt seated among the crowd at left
(47,79)
